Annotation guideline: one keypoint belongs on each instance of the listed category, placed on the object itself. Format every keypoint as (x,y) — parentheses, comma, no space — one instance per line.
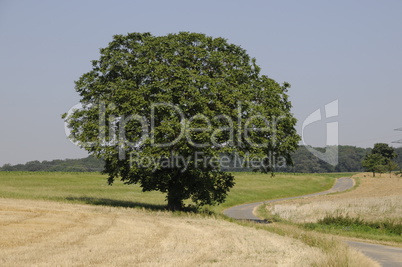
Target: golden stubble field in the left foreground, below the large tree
(41,233)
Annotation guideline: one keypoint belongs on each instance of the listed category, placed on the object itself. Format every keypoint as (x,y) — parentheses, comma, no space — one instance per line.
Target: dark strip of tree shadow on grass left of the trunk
(116,203)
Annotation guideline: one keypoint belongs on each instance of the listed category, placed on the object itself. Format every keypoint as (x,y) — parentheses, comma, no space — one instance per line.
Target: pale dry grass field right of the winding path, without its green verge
(375,197)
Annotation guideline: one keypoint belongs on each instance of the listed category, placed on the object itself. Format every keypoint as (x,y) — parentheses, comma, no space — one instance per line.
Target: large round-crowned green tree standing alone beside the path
(165,112)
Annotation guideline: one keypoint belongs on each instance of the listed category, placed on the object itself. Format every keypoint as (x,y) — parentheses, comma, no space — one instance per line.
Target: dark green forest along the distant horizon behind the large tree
(350,160)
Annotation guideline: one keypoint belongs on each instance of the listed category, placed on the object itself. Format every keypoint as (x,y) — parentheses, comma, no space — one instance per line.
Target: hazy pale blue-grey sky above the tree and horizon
(350,51)
